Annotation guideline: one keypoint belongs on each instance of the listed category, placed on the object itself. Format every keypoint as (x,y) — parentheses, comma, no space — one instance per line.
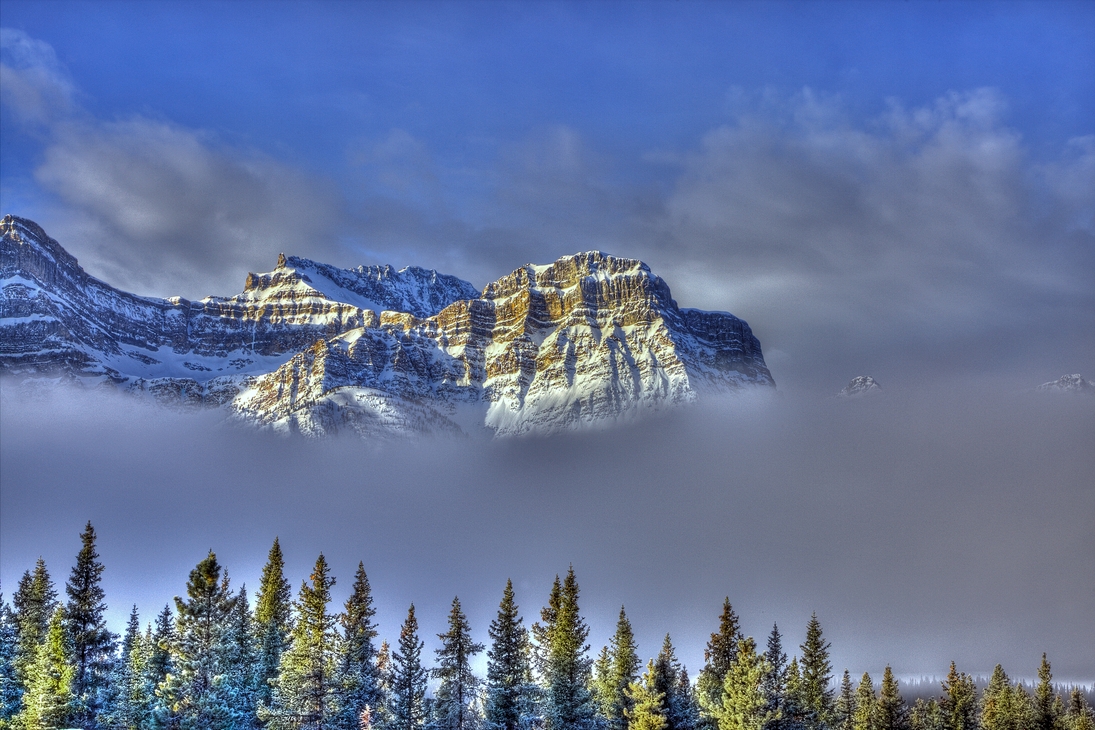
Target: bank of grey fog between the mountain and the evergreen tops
(924,527)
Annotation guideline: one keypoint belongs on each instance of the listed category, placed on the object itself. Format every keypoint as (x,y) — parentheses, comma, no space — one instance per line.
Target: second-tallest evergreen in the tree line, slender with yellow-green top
(272,622)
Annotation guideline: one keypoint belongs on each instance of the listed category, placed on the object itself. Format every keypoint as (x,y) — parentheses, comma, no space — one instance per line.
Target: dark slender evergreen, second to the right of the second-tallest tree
(359,678)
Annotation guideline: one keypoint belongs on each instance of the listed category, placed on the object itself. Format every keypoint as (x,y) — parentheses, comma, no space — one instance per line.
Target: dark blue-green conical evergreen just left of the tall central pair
(510,694)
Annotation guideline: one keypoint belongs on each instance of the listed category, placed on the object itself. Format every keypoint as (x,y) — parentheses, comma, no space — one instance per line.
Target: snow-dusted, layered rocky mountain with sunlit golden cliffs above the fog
(589,340)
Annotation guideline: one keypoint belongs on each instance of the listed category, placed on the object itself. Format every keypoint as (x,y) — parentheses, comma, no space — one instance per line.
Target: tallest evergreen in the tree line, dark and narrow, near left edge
(93,644)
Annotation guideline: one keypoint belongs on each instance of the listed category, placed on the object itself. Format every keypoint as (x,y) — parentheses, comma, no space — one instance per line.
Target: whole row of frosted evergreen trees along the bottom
(215,663)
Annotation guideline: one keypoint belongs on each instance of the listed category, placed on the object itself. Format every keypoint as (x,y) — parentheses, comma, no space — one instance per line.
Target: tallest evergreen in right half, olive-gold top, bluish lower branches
(569,704)
